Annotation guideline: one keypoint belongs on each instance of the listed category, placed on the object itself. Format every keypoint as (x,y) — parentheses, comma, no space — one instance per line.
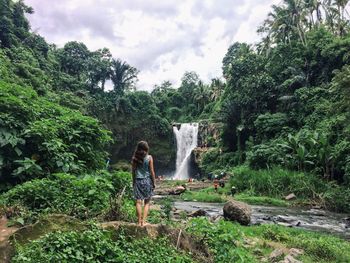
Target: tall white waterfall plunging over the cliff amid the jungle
(186,141)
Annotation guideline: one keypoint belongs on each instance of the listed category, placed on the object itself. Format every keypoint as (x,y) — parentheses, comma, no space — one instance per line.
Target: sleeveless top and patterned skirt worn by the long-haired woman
(143,188)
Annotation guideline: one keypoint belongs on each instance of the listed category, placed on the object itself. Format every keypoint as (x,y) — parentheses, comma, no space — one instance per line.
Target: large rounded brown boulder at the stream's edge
(237,211)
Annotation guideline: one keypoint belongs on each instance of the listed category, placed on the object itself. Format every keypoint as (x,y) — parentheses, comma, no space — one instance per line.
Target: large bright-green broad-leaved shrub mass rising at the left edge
(38,135)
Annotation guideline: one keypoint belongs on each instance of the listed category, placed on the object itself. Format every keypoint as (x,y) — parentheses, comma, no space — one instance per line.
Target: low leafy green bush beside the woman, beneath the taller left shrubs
(62,193)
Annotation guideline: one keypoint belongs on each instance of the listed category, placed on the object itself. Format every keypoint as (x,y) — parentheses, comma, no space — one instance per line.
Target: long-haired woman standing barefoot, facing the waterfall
(143,176)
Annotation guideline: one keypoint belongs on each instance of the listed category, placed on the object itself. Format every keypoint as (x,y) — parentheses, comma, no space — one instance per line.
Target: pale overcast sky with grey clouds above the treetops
(161,38)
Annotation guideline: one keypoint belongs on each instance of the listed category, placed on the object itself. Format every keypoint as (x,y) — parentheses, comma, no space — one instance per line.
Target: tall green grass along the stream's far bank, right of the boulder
(277,183)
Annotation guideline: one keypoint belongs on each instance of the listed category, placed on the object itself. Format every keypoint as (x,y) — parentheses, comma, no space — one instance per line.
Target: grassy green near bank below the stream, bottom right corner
(231,242)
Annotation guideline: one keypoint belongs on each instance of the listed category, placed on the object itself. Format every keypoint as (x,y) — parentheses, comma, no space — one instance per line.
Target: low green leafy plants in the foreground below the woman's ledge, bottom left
(96,245)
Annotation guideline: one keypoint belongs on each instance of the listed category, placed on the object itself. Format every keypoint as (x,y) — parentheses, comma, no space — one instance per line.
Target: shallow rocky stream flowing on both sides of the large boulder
(309,219)
